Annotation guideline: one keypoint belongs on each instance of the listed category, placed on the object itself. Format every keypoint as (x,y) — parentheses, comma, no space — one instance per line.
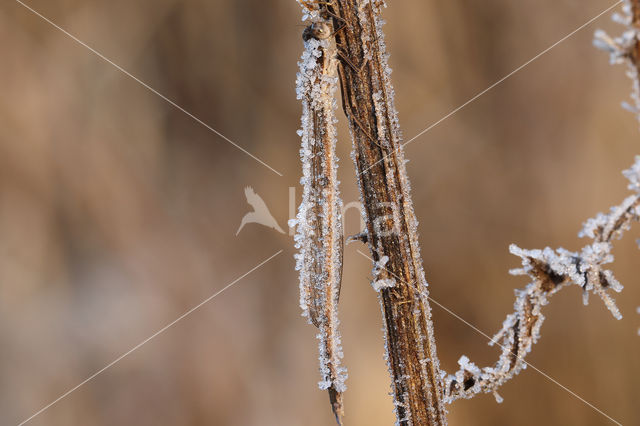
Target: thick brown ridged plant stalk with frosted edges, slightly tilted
(391,225)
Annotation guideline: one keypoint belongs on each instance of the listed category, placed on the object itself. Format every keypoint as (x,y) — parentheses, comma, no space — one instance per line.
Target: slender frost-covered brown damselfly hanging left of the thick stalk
(319,236)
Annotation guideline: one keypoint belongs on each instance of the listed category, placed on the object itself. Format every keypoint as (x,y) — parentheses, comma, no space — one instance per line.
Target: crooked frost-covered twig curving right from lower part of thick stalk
(550,270)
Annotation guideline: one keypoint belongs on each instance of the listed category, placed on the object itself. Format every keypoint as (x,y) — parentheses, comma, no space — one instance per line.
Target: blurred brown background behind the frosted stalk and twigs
(118,212)
